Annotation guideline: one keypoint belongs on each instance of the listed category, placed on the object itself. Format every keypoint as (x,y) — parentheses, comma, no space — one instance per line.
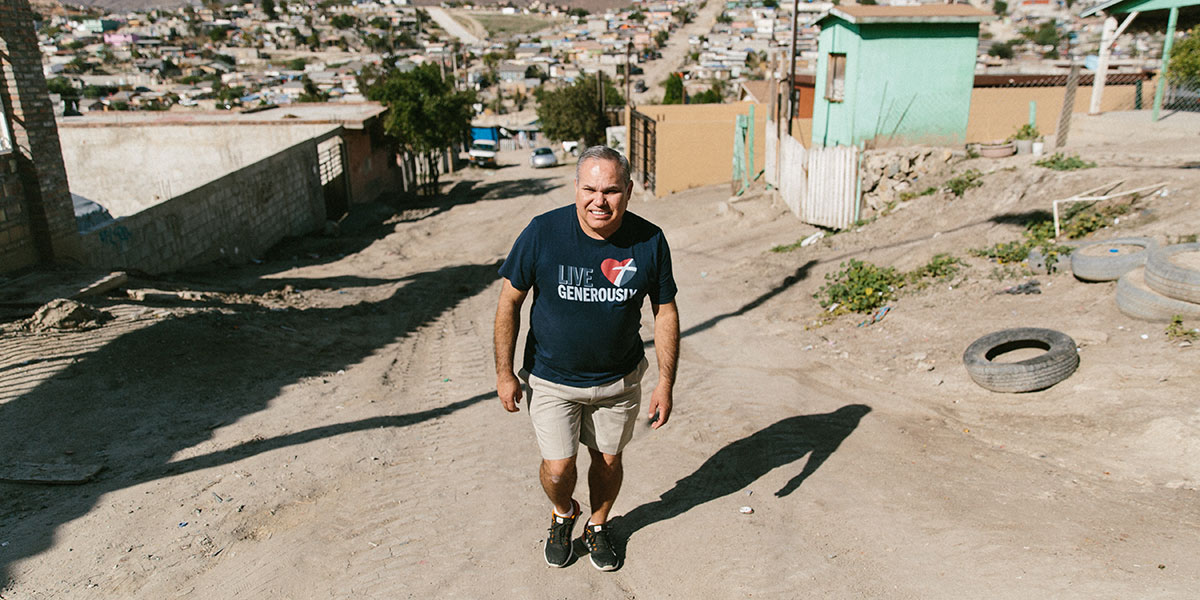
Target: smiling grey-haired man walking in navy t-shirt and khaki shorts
(590,267)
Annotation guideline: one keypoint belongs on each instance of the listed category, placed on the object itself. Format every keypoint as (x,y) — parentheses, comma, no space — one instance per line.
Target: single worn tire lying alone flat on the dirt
(1036,374)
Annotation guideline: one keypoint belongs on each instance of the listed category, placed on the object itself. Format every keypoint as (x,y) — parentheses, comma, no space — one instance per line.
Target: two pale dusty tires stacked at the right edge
(1168,285)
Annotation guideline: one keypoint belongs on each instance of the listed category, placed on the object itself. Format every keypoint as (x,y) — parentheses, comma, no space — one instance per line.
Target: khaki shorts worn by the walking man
(601,417)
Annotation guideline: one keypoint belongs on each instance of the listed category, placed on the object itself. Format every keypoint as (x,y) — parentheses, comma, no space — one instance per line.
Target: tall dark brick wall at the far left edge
(44,225)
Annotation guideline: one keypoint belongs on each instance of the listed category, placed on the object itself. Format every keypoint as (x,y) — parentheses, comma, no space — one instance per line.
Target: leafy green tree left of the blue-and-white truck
(425,113)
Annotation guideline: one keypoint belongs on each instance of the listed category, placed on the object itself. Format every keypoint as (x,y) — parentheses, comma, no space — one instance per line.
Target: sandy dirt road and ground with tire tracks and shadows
(325,424)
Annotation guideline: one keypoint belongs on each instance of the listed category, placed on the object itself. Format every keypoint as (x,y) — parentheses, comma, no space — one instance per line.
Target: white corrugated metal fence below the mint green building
(820,185)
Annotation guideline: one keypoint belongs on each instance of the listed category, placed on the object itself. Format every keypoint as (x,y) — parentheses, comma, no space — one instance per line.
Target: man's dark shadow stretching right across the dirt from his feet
(745,461)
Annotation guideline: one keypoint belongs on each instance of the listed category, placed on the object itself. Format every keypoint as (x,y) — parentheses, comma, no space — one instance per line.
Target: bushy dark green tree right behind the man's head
(574,112)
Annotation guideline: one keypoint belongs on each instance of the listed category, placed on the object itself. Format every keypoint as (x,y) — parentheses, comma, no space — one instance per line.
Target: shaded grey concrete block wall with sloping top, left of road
(236,218)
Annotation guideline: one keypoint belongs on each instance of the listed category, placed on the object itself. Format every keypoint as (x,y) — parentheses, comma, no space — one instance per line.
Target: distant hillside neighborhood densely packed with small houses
(231,56)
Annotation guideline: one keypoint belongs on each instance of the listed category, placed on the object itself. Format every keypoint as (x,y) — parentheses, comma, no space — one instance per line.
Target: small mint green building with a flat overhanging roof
(896,75)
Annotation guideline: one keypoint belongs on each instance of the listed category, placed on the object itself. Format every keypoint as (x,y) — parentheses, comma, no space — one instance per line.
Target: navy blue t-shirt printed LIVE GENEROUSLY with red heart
(587,295)
